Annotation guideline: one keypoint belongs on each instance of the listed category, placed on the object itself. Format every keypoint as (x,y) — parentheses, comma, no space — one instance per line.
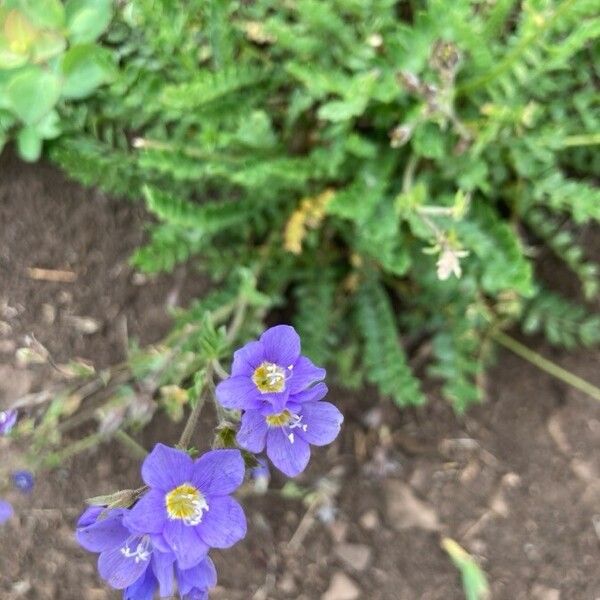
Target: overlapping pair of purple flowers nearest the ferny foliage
(278,390)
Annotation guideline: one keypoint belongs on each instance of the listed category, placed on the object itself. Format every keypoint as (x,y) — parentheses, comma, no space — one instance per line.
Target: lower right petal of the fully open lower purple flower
(223,524)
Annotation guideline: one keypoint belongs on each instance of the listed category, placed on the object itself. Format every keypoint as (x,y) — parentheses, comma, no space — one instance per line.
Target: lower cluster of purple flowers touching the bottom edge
(162,542)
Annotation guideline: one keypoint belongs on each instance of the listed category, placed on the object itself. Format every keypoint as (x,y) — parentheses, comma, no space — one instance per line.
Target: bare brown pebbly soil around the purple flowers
(516,482)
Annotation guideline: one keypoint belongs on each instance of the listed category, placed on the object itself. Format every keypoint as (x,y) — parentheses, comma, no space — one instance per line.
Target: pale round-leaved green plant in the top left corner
(47,55)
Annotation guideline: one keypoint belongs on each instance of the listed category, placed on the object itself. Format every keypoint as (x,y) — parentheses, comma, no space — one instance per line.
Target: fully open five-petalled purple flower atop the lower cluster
(188,508)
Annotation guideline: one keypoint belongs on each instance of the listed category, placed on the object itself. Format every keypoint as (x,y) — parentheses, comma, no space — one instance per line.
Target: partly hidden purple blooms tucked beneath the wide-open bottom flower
(129,561)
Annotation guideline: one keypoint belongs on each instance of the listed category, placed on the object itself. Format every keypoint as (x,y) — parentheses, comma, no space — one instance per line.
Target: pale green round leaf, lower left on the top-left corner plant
(32,92)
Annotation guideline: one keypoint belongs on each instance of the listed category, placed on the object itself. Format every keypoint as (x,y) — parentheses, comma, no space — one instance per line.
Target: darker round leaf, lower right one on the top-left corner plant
(84,68)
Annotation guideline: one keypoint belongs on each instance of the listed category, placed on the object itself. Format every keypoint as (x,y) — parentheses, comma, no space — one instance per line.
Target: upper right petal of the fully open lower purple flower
(219,472)
